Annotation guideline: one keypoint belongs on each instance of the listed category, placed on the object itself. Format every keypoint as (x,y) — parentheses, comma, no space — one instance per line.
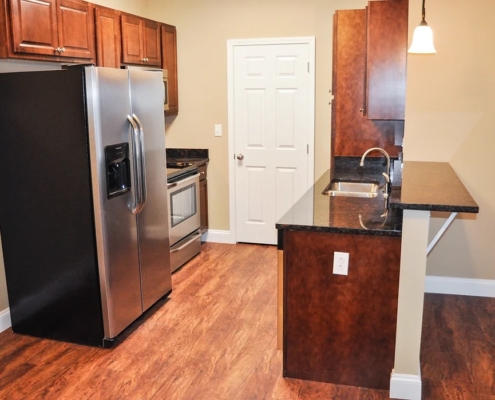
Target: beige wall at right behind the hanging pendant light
(450,116)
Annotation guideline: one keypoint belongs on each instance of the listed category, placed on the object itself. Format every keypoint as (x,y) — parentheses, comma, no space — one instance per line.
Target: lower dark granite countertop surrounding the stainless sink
(355,215)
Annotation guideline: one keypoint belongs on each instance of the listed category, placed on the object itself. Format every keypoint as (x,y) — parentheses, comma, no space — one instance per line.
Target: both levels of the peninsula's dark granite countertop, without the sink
(429,186)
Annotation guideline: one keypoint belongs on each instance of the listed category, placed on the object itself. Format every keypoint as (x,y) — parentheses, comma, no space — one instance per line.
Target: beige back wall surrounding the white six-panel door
(203,30)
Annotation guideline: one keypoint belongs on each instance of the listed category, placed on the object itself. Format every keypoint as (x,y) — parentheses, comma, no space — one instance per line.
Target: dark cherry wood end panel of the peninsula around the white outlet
(340,329)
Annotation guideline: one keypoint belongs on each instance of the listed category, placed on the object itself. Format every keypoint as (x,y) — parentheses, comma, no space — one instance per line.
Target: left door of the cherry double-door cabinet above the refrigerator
(34,26)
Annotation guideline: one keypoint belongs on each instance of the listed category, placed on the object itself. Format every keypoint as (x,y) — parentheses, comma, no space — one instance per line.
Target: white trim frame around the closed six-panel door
(230,87)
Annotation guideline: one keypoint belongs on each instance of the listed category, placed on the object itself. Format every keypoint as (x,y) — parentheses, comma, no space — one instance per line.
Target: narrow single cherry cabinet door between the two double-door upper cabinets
(107,27)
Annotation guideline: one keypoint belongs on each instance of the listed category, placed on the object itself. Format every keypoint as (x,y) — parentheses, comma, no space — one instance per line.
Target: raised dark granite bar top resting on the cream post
(432,186)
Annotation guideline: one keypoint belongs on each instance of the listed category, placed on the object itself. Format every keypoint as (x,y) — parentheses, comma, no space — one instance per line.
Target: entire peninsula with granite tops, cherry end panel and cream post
(387,241)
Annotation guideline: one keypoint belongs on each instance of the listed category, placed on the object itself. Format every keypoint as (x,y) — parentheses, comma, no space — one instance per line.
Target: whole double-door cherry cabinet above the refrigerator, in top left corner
(50,30)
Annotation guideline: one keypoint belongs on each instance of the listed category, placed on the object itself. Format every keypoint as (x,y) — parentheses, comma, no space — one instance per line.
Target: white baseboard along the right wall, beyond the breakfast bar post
(460,286)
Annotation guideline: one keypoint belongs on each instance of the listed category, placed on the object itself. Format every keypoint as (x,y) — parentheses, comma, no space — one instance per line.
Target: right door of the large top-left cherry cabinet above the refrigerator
(76,29)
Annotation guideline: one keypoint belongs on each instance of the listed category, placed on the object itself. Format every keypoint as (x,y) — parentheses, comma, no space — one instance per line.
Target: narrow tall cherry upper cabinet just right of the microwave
(169,62)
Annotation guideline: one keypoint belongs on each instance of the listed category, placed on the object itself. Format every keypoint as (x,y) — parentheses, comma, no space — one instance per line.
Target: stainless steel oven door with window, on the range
(183,205)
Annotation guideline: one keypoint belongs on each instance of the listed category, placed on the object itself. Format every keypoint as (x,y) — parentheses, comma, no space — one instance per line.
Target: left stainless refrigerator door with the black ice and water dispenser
(114,196)
